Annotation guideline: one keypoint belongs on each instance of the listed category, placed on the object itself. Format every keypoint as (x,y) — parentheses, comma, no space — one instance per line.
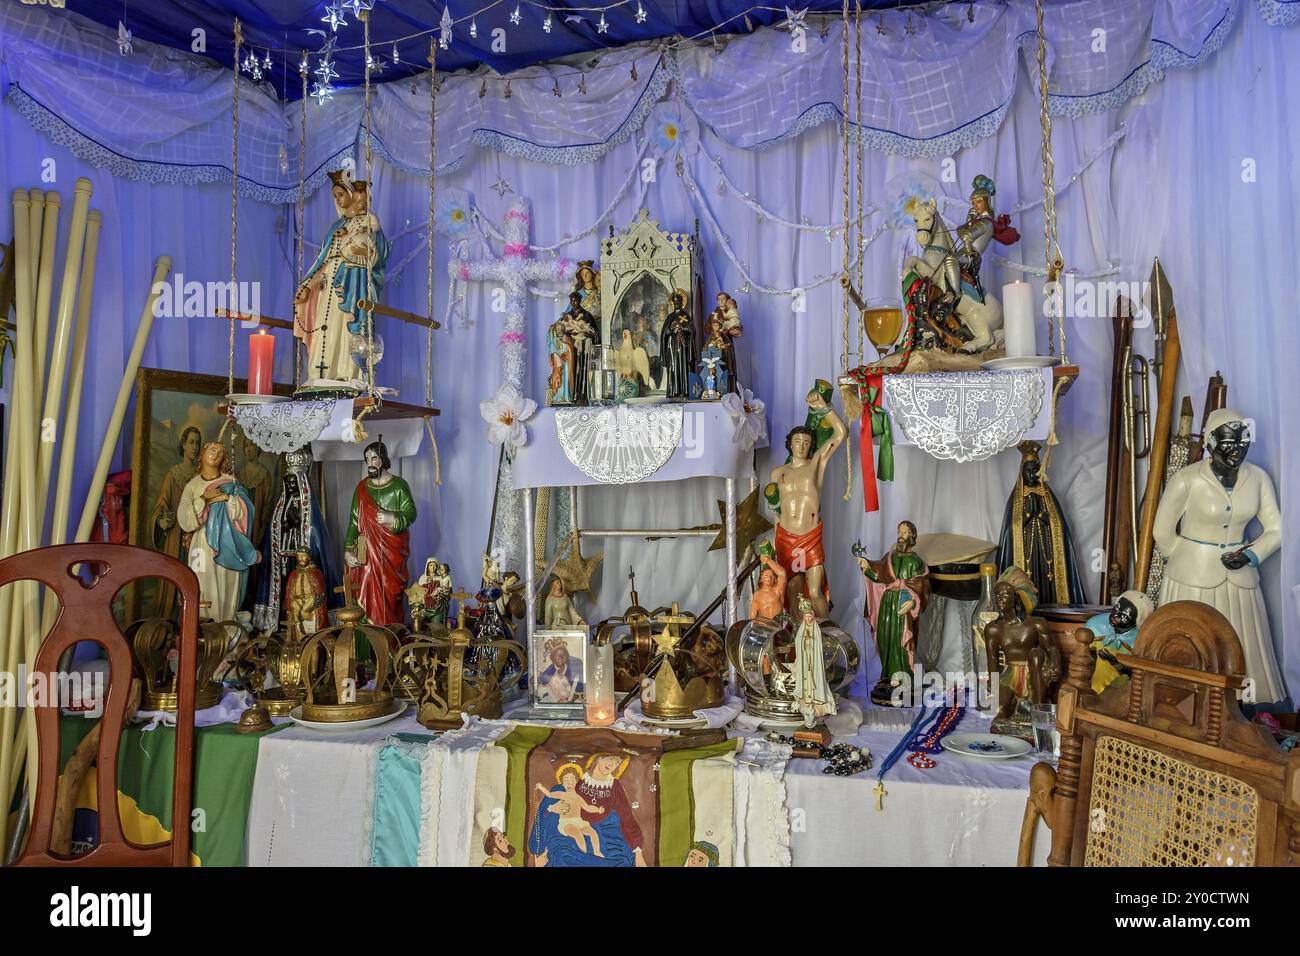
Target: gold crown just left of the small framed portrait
(456,674)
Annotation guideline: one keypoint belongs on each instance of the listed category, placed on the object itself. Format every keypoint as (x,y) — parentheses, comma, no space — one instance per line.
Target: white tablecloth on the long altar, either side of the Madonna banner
(314,791)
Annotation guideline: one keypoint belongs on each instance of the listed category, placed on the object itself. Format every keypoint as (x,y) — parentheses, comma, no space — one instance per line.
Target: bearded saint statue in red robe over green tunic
(378,543)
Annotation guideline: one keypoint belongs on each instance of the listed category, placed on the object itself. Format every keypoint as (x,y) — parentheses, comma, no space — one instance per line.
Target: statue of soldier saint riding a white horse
(942,287)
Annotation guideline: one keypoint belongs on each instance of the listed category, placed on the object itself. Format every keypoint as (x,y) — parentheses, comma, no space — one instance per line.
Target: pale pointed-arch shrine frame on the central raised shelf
(648,276)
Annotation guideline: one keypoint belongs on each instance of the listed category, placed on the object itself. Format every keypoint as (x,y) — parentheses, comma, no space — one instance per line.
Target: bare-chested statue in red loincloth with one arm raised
(796,492)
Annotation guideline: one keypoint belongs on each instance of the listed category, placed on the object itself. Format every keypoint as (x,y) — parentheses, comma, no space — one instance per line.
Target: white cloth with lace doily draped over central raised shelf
(627,444)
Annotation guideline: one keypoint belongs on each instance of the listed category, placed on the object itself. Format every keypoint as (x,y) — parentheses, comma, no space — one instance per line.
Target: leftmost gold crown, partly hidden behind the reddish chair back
(155,654)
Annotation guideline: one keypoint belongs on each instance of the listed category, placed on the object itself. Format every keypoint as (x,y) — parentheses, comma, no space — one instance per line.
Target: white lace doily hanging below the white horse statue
(965,417)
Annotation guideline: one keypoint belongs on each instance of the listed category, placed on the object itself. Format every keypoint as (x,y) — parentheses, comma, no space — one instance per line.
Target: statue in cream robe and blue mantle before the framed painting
(219,514)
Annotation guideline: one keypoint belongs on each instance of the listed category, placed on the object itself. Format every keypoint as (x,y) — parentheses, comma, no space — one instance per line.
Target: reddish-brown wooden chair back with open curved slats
(86,615)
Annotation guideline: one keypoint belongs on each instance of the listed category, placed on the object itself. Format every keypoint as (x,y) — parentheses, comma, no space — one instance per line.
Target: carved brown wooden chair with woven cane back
(1167,772)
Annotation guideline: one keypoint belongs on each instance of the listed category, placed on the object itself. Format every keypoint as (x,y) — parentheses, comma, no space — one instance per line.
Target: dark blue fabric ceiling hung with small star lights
(285,28)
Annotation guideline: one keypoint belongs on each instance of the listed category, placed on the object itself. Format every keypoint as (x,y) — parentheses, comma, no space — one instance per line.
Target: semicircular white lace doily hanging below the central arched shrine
(623,444)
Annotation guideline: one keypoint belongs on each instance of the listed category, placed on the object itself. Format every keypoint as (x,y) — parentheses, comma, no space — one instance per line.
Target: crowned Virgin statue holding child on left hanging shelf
(350,269)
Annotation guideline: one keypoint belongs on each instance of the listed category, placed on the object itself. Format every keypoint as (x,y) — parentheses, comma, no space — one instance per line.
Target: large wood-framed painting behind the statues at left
(176,416)
